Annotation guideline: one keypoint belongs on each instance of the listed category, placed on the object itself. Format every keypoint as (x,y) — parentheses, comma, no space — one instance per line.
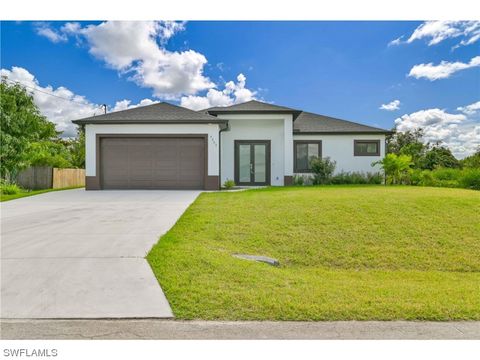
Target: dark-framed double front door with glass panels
(252,162)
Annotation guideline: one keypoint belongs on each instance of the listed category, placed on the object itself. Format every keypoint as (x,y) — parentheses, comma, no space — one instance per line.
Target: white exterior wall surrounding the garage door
(91,130)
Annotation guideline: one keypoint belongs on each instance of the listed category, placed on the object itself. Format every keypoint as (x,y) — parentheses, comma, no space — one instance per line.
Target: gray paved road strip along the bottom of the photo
(171,329)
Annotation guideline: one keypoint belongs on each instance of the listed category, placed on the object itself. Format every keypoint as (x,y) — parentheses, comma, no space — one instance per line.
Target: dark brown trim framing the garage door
(98,138)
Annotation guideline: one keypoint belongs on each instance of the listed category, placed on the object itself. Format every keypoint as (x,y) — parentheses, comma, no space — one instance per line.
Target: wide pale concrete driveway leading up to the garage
(80,254)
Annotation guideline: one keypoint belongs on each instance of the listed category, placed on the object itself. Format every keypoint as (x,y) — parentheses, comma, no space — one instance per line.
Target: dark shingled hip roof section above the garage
(157,113)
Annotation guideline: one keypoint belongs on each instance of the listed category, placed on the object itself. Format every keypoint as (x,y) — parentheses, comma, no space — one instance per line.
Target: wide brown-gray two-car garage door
(152,163)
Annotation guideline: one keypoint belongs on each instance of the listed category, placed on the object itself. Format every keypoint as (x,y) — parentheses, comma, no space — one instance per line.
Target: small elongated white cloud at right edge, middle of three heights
(443,70)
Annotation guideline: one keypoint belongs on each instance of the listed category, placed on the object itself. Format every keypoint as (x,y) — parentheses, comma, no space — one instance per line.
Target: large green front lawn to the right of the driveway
(346,252)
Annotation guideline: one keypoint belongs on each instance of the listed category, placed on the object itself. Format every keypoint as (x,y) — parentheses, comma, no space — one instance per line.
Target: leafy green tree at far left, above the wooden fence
(21,124)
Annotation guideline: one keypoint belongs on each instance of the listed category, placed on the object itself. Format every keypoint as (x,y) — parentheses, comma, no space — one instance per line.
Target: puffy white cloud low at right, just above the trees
(457,131)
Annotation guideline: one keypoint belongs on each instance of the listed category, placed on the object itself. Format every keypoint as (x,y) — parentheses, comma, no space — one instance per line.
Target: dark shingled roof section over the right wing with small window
(314,123)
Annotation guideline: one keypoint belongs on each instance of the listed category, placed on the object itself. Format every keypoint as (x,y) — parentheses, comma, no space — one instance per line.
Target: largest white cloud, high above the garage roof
(132,47)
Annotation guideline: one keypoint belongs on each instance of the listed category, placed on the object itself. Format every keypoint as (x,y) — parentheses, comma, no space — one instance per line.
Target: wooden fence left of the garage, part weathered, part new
(44,177)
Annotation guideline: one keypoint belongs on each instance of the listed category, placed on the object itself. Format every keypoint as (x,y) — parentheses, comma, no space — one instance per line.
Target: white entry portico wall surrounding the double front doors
(275,127)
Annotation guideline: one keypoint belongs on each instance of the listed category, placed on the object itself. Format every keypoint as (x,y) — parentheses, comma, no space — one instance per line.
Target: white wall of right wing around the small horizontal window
(340,149)
